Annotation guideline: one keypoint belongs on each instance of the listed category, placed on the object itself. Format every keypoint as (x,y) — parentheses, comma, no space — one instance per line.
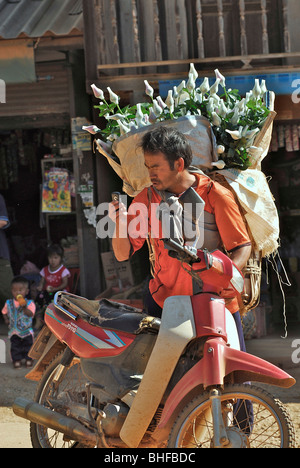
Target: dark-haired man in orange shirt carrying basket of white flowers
(168,157)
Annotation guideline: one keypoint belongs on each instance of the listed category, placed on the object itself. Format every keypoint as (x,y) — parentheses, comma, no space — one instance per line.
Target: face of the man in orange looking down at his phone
(161,175)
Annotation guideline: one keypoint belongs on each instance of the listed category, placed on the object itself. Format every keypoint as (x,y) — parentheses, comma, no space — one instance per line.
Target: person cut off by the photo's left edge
(6,274)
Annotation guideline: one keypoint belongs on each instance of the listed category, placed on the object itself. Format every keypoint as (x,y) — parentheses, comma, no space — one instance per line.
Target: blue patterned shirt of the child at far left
(19,323)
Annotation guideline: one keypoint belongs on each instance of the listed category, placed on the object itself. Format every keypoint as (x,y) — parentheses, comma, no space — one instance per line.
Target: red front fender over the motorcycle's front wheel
(218,362)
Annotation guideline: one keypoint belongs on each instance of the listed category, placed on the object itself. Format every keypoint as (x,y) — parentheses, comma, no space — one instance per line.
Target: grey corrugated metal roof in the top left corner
(35,18)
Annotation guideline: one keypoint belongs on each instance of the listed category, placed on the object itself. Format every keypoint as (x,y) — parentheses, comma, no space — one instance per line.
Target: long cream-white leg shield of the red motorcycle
(177,329)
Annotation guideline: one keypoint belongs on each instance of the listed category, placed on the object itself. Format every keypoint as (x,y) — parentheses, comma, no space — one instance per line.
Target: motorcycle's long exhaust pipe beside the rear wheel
(45,417)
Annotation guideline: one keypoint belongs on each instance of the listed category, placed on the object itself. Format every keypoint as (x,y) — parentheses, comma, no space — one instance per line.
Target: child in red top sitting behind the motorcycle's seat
(55,276)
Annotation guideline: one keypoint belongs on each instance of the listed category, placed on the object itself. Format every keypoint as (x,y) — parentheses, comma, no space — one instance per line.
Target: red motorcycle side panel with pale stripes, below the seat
(83,339)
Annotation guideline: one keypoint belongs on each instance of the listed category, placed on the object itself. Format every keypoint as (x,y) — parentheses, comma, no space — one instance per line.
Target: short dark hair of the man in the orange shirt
(170,142)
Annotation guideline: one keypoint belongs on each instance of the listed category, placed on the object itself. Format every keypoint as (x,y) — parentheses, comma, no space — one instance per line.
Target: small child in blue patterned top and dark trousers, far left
(18,314)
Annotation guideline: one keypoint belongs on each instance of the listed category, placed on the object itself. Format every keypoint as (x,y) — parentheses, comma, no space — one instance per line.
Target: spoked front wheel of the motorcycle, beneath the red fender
(253,419)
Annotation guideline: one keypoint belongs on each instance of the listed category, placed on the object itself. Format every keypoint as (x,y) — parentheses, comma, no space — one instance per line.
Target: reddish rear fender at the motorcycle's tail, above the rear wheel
(44,349)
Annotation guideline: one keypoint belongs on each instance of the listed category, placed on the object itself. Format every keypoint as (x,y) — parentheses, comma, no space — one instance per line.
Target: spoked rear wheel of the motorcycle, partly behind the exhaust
(73,381)
